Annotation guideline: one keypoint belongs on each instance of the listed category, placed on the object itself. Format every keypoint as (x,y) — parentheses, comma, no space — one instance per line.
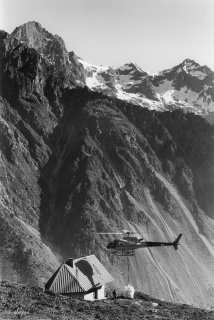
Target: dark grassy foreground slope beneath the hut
(25,302)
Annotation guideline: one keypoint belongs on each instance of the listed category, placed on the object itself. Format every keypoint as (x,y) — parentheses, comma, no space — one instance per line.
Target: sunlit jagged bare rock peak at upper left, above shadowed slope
(51,48)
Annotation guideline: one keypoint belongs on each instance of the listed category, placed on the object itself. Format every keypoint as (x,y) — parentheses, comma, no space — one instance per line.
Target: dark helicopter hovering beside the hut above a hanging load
(127,245)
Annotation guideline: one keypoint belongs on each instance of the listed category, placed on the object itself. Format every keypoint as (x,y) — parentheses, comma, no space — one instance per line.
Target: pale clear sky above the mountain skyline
(155,34)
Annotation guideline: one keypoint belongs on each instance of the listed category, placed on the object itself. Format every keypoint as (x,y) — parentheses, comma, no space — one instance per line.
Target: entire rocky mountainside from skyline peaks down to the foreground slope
(75,162)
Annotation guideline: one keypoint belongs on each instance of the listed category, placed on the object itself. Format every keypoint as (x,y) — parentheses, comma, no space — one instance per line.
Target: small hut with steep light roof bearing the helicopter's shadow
(80,278)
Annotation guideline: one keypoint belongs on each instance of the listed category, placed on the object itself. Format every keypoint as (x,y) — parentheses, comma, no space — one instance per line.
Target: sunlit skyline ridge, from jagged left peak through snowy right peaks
(166,90)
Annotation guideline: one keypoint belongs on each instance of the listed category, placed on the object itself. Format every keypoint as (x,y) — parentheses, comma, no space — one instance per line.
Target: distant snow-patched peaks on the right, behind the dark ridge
(188,85)
